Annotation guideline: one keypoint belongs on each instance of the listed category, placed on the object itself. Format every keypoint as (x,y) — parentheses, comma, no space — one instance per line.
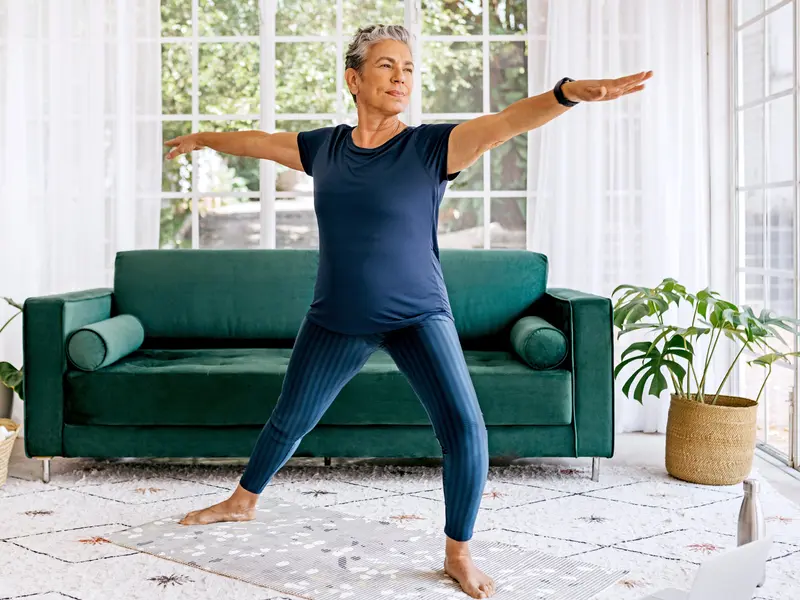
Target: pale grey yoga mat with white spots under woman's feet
(301,550)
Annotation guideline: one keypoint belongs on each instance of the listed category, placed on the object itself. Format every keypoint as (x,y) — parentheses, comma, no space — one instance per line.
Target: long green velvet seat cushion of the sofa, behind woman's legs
(220,387)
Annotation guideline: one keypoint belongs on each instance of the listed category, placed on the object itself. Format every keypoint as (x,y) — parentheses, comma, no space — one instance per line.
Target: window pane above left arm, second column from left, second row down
(229,81)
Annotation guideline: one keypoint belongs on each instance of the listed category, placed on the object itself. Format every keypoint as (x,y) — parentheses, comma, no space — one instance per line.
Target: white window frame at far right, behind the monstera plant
(741,270)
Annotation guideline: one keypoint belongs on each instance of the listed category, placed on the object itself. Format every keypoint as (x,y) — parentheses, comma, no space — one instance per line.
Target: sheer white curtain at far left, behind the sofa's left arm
(80,144)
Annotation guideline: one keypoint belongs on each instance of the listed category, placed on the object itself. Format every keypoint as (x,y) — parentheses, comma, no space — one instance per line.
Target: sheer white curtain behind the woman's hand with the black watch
(622,191)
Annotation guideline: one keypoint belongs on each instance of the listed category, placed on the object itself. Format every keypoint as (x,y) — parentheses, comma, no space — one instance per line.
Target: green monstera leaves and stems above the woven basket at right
(671,353)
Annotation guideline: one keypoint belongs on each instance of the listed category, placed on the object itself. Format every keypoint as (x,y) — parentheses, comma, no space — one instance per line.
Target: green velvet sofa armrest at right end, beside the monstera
(587,321)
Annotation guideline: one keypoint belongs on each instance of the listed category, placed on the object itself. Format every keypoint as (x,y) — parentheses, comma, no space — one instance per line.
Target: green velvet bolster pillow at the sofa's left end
(100,344)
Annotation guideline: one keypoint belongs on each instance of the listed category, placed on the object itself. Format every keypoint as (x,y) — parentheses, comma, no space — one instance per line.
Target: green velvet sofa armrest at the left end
(47,321)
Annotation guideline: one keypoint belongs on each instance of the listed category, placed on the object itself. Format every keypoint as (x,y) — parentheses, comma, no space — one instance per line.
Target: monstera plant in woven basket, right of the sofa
(710,437)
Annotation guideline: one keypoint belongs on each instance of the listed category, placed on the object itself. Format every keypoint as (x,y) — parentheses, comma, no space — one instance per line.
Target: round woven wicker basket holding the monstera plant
(711,444)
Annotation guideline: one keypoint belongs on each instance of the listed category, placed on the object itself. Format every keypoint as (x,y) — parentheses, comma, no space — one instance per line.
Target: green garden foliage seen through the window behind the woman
(451,76)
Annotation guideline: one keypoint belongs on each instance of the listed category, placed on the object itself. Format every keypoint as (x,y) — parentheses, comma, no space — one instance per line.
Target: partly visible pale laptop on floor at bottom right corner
(732,575)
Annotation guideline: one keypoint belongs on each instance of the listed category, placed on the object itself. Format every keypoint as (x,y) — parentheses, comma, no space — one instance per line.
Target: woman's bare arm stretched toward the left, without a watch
(279,147)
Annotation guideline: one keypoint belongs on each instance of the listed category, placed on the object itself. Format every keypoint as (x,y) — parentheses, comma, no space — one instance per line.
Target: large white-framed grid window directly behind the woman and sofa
(226,67)
